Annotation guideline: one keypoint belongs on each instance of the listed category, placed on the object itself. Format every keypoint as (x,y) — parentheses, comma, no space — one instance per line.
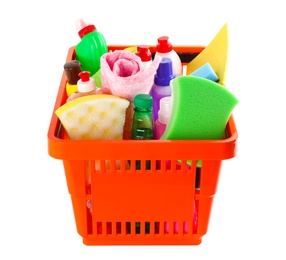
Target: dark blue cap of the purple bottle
(164,72)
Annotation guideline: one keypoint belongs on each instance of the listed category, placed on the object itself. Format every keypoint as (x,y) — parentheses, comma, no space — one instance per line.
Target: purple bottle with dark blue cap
(161,87)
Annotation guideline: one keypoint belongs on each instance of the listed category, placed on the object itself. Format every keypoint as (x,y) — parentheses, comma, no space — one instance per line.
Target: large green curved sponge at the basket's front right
(201,109)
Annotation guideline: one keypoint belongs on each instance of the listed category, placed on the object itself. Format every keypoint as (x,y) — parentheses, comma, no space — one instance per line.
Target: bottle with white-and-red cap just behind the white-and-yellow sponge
(86,86)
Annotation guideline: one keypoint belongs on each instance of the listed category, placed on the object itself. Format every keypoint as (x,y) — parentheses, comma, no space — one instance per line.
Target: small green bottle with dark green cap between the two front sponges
(142,125)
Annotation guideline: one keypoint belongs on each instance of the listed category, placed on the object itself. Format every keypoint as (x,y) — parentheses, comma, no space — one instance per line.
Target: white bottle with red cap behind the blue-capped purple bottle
(165,49)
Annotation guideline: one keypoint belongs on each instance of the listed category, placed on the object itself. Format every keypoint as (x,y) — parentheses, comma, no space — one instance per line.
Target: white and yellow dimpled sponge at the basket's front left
(90,117)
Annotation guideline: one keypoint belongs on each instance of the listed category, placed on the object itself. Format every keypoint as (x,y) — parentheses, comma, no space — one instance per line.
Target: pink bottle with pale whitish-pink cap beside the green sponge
(164,114)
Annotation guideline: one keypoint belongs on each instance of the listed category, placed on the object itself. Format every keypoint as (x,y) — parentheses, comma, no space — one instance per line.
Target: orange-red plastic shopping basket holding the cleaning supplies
(166,201)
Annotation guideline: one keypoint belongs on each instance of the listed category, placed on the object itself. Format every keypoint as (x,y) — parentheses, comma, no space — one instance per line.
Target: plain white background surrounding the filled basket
(248,216)
